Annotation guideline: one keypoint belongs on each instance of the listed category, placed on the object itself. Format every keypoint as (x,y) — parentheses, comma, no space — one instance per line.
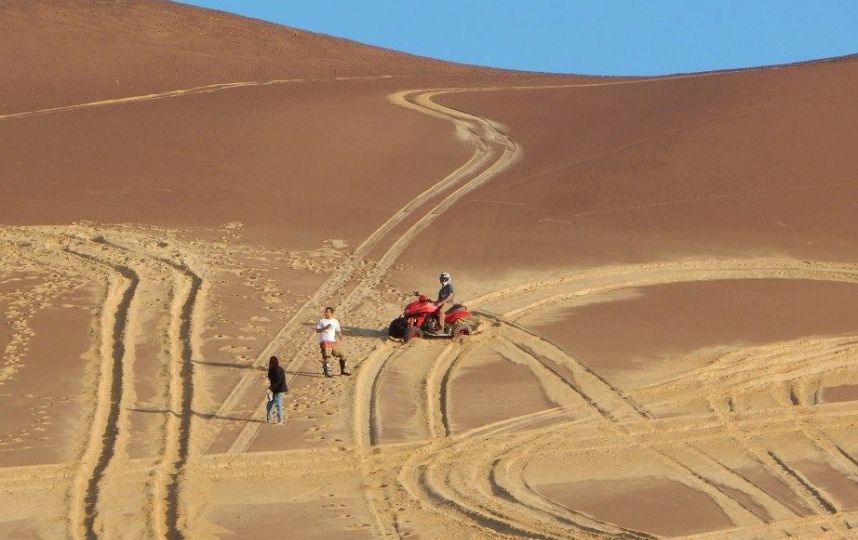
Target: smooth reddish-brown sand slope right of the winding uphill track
(752,161)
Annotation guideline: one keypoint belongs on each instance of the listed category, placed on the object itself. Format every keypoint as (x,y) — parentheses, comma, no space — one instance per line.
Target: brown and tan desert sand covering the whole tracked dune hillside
(664,270)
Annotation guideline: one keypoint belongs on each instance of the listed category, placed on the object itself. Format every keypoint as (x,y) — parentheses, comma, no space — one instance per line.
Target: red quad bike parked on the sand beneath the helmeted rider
(420,319)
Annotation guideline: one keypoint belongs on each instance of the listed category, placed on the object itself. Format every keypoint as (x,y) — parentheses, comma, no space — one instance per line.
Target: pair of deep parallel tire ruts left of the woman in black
(128,273)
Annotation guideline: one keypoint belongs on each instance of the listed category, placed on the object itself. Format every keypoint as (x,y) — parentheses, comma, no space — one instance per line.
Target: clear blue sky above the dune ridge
(607,37)
